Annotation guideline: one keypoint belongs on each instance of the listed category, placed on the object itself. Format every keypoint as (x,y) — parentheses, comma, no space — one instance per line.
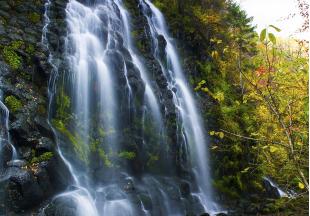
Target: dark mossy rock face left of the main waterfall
(24,76)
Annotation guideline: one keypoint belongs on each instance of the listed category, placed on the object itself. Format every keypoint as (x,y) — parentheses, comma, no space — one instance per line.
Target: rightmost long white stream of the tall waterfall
(191,121)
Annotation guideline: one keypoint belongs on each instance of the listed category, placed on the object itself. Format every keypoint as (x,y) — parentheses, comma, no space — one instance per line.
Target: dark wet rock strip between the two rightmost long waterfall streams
(143,41)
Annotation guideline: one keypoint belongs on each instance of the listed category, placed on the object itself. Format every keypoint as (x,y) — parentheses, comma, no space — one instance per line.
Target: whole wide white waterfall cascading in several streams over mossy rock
(110,122)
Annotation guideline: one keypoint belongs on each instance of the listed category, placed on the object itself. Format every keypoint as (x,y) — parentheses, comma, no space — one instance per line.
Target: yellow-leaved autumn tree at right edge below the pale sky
(279,88)
